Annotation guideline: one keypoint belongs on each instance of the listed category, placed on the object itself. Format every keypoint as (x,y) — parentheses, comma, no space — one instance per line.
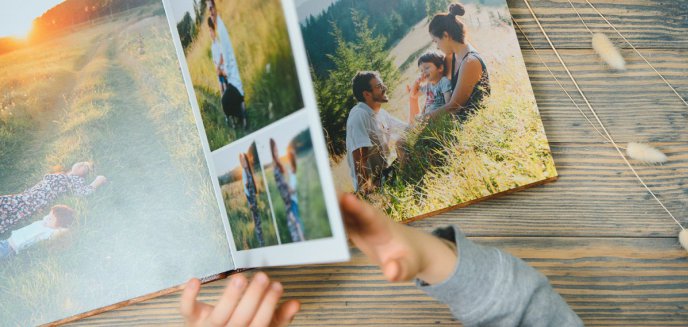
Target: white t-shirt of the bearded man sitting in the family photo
(378,132)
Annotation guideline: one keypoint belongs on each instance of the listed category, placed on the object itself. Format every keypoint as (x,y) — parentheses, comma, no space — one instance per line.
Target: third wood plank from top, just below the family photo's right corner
(595,195)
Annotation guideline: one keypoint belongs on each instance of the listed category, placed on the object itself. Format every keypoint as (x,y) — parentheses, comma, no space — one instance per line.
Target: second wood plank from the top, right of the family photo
(634,105)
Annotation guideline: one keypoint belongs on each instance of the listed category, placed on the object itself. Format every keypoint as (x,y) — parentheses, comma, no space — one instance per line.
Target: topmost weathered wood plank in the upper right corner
(647,24)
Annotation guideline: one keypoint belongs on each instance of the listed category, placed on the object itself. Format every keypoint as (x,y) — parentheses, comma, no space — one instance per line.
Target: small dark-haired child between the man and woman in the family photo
(432,82)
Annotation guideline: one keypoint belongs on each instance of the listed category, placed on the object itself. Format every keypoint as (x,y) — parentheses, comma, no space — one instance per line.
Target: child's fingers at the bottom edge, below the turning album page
(241,304)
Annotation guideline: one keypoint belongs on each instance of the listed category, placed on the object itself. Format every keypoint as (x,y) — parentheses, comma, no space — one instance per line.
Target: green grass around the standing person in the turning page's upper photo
(266,65)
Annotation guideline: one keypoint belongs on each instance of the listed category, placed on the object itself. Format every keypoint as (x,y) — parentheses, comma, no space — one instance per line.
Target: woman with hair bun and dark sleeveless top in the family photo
(469,77)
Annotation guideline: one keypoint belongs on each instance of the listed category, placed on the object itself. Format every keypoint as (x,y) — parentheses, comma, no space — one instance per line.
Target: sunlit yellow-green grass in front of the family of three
(501,147)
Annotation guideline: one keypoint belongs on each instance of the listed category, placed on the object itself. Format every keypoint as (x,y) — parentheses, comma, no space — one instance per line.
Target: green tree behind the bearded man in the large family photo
(334,93)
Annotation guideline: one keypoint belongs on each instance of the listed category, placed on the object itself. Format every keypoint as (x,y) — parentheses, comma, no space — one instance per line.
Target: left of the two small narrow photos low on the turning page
(246,197)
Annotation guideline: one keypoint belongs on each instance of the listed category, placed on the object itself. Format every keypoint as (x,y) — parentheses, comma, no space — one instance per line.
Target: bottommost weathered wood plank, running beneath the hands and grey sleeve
(629,281)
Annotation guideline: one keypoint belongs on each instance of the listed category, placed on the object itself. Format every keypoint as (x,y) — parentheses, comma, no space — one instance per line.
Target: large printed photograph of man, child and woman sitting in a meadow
(426,104)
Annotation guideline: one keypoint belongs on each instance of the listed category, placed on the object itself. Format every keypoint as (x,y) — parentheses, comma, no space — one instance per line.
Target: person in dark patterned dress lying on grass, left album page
(15,208)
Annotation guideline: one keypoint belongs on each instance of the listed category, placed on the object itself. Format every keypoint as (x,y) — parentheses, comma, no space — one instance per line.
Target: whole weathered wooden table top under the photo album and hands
(605,244)
